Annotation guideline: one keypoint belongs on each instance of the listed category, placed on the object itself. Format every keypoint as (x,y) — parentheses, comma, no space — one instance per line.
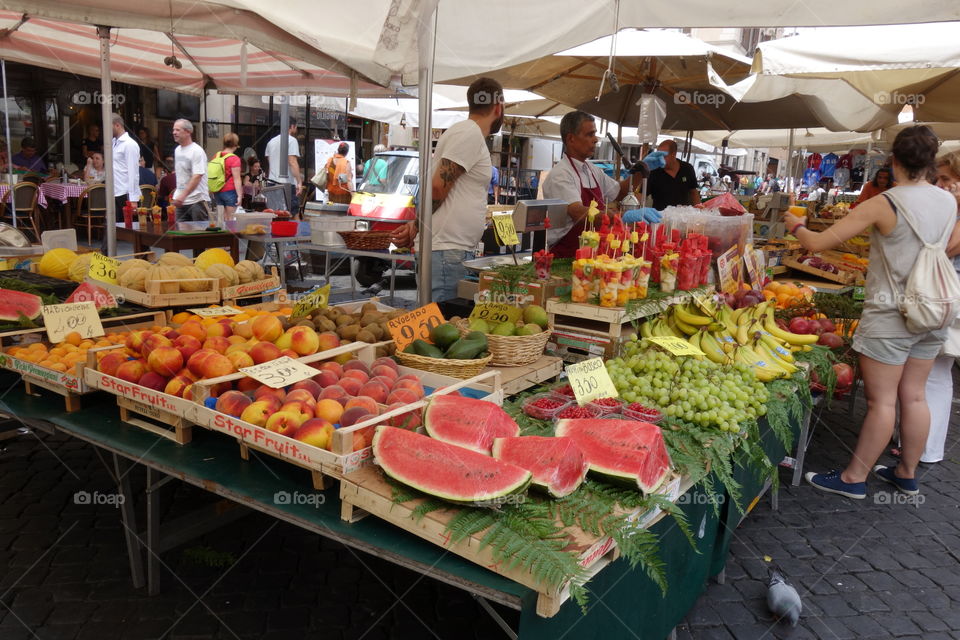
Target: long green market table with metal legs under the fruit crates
(620,596)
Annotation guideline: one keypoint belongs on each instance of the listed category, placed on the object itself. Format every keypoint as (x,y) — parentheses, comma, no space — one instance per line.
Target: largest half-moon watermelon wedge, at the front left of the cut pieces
(445,470)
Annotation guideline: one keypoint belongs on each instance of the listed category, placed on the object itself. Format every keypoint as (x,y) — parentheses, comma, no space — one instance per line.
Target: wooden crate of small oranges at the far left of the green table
(69,384)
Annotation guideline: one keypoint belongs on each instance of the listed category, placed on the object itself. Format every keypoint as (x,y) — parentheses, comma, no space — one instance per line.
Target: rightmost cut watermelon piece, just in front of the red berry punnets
(621,451)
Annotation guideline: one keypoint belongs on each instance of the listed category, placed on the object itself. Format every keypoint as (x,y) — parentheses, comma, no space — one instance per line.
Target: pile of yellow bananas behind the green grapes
(749,336)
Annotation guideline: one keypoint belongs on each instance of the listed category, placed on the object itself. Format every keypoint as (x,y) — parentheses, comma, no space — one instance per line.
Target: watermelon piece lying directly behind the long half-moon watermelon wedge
(468,422)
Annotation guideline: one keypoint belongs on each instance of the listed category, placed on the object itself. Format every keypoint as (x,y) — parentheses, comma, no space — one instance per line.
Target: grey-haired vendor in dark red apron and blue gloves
(579,182)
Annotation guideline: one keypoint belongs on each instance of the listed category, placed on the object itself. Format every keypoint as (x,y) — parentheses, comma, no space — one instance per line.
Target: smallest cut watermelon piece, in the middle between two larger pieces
(557,464)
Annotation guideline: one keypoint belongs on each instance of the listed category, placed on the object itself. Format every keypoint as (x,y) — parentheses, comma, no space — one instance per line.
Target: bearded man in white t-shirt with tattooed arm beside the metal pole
(460,181)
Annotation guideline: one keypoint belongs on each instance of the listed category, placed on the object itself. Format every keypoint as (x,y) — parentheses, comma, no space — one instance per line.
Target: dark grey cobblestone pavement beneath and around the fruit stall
(865,569)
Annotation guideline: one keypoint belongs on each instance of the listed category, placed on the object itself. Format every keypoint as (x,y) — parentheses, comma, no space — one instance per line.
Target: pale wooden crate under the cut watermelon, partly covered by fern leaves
(366,489)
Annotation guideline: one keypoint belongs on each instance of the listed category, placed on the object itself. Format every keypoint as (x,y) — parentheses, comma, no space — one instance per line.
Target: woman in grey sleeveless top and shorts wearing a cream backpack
(911,224)
